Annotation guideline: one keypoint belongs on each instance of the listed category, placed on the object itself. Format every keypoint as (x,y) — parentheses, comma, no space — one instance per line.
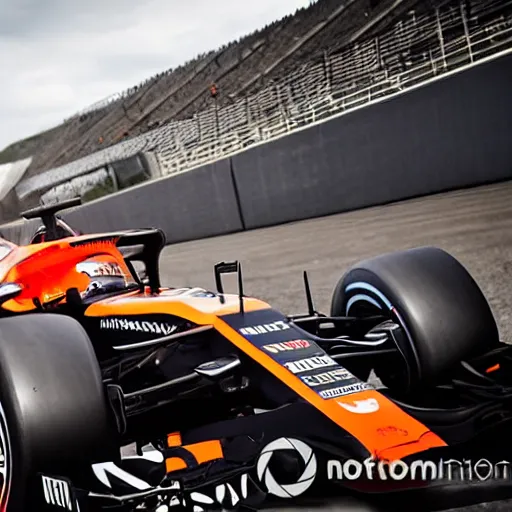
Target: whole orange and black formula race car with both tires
(119,394)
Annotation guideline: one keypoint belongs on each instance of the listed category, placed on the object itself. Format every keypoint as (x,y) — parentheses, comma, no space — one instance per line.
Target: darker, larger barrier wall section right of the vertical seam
(452,133)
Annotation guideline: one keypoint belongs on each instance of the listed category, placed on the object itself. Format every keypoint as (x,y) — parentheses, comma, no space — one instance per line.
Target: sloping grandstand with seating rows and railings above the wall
(325,59)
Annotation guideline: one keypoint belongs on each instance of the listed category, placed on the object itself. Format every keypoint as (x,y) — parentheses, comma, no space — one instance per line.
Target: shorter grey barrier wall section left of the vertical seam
(196,204)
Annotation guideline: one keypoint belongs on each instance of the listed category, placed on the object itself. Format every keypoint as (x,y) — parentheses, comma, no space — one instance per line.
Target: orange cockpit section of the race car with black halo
(60,265)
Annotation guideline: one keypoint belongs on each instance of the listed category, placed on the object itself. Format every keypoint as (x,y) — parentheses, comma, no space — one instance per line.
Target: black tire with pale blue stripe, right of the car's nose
(443,314)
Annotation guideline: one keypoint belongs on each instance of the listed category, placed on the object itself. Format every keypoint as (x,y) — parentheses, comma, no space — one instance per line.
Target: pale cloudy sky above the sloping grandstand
(58,56)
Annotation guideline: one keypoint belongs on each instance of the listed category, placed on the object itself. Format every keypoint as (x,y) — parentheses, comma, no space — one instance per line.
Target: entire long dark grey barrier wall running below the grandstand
(451,133)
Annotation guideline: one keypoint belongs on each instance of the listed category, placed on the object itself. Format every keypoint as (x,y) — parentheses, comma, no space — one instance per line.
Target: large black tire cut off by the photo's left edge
(54,416)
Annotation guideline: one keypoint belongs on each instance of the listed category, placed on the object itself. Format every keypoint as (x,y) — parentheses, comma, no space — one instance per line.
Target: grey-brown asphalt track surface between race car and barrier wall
(475,225)
